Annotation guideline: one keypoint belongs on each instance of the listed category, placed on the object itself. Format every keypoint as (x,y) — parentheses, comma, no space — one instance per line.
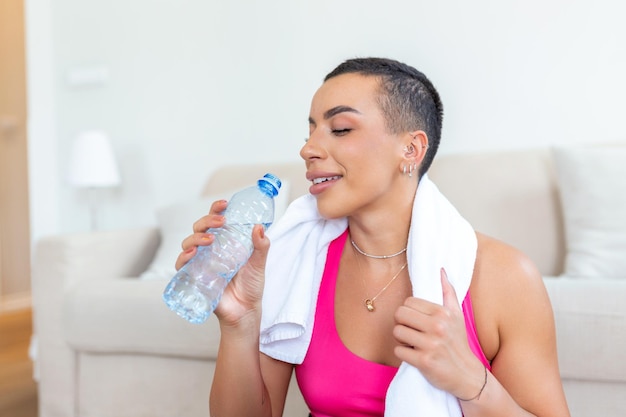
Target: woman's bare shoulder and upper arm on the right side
(514,318)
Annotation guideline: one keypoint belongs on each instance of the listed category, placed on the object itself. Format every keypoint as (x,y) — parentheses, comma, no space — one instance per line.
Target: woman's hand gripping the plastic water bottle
(243,294)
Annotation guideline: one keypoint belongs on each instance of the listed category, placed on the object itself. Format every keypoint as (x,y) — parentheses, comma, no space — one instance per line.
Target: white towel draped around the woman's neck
(438,237)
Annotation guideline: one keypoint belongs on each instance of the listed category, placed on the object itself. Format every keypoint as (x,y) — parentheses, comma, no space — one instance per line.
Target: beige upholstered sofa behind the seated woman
(108,346)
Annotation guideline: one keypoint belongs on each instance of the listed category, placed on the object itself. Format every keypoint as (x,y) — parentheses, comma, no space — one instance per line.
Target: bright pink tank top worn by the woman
(333,380)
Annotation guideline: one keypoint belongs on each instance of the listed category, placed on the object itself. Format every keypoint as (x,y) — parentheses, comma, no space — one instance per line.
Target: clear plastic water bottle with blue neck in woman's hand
(196,289)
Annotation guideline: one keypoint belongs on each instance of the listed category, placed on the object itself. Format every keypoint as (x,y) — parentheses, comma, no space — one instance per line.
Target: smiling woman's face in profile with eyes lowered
(354,164)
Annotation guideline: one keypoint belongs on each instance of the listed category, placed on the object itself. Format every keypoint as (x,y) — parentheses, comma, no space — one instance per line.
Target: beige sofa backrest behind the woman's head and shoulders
(510,195)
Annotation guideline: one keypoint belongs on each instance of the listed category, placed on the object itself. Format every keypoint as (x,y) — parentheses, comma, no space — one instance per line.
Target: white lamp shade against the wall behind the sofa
(92,162)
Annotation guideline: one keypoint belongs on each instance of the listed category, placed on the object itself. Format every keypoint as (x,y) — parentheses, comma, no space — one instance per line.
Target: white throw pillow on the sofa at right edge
(593,197)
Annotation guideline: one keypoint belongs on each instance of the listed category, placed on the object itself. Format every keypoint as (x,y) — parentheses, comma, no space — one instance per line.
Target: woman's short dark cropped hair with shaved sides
(408,99)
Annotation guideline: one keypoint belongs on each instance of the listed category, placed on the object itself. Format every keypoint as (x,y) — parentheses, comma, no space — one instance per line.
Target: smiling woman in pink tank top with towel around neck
(374,128)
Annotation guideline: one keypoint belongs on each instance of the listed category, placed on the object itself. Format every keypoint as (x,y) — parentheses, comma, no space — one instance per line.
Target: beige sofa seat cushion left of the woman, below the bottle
(128,315)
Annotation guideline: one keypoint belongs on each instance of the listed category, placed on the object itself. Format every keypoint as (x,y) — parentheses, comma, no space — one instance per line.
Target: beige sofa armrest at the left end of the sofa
(59,262)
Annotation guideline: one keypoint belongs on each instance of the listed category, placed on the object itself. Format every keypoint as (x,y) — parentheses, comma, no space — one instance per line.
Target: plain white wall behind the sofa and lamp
(195,84)
